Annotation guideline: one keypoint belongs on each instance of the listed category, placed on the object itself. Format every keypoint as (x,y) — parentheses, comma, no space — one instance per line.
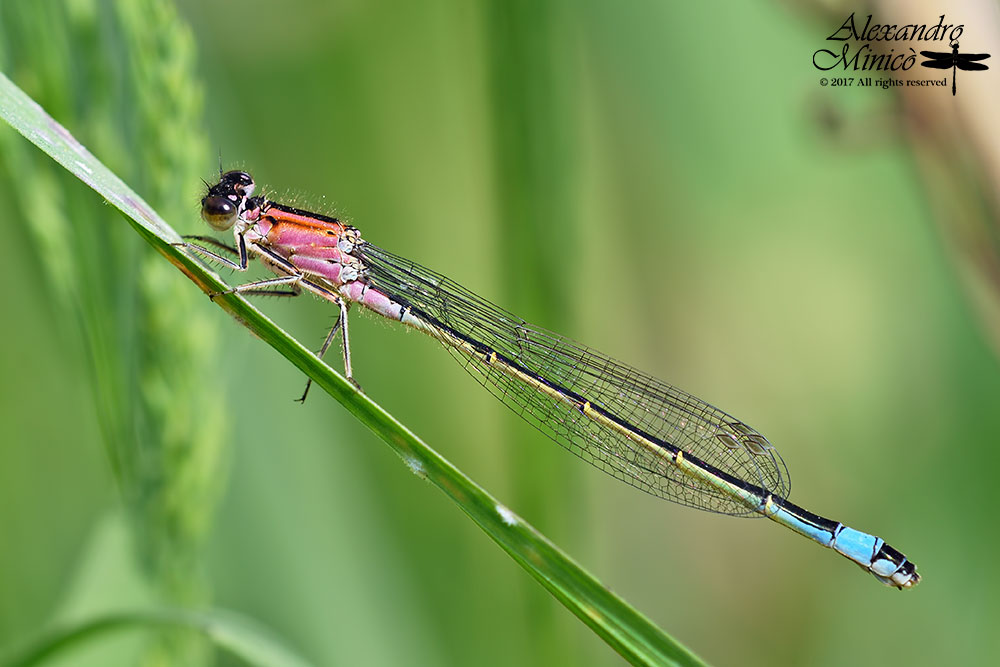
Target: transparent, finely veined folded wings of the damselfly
(641,402)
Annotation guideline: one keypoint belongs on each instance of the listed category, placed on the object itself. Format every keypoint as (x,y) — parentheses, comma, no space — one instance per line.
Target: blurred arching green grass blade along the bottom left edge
(226,630)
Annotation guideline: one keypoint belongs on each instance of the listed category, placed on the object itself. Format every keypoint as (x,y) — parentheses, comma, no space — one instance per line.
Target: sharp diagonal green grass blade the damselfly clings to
(623,628)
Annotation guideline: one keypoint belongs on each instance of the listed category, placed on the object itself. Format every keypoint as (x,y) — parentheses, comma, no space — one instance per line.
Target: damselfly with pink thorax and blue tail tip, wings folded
(631,425)
